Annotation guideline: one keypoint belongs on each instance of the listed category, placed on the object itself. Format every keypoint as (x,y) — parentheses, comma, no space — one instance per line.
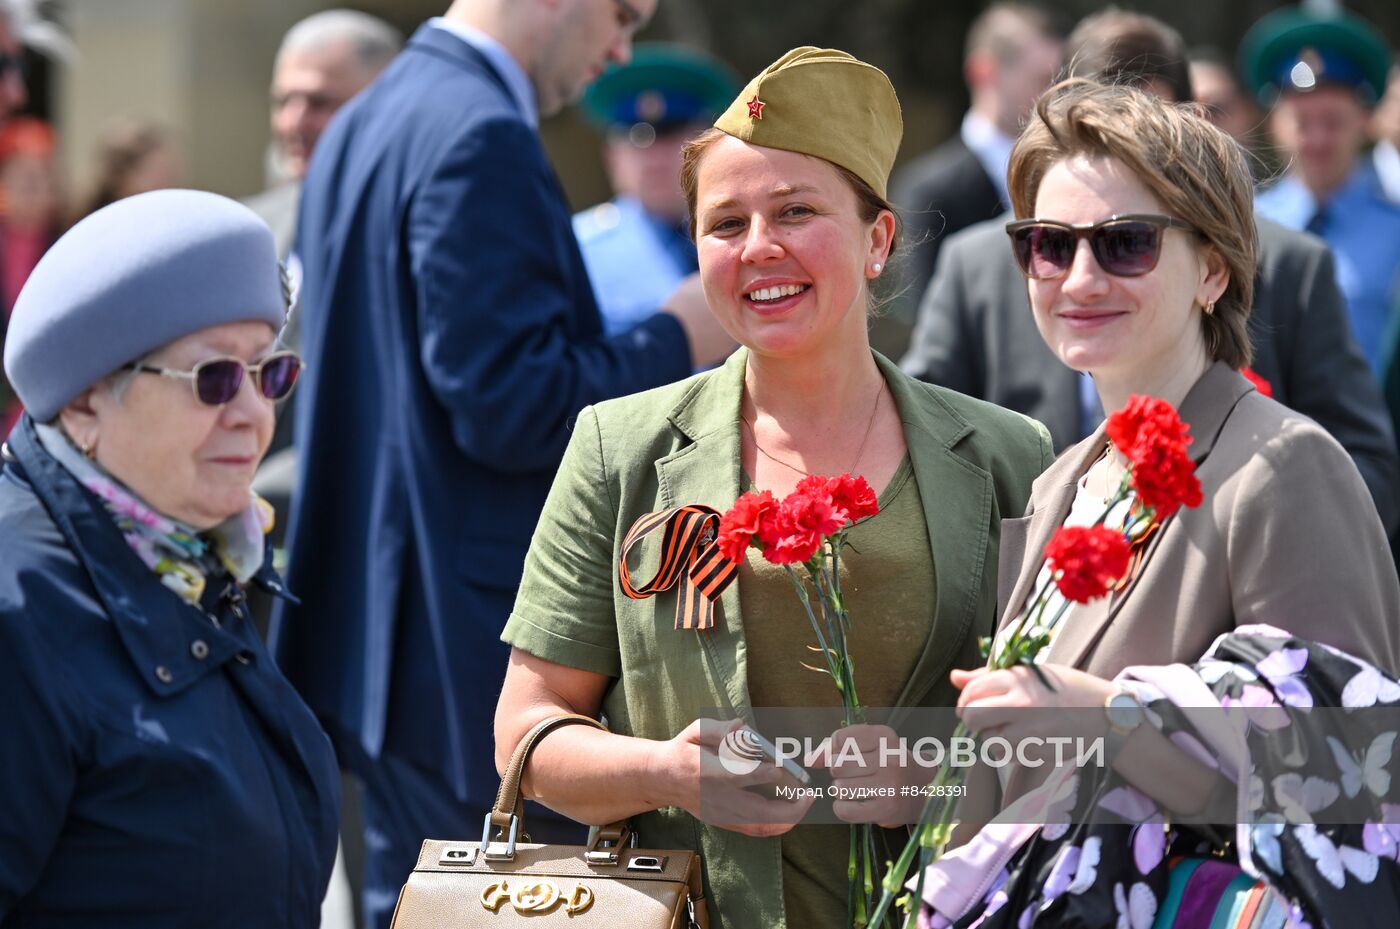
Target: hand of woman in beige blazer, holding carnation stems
(1014,704)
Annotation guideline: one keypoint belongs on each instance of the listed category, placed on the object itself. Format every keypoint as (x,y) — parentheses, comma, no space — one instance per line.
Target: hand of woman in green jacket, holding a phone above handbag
(689,776)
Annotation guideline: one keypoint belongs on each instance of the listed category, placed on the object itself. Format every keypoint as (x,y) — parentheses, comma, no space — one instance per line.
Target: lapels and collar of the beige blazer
(1205,411)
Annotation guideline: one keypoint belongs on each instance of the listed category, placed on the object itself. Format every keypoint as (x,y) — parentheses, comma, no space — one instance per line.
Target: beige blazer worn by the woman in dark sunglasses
(1287,535)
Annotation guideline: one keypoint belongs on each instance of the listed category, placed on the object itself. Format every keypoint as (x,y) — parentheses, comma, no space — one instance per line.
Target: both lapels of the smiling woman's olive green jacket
(957,497)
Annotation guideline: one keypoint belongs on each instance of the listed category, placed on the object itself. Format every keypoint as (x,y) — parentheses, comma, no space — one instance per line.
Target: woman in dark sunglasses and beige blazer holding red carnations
(1140,261)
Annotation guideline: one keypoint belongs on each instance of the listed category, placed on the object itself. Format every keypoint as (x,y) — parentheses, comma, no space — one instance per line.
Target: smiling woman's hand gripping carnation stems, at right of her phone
(870,788)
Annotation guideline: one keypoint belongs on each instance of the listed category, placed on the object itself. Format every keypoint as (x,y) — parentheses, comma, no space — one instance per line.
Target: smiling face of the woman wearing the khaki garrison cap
(785,257)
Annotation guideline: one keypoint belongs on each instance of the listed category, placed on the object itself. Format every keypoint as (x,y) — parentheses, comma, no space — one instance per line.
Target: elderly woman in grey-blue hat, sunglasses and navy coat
(159,769)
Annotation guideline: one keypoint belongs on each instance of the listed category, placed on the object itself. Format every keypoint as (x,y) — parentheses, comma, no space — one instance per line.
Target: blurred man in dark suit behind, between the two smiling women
(1011,55)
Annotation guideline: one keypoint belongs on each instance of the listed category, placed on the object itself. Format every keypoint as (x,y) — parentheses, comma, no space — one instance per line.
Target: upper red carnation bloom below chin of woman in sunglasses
(1153,437)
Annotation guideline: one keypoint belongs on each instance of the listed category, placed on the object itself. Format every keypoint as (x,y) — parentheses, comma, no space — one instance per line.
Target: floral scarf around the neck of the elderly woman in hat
(181,556)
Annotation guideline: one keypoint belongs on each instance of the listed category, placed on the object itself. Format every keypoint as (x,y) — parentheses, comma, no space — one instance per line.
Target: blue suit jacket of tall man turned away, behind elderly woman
(451,336)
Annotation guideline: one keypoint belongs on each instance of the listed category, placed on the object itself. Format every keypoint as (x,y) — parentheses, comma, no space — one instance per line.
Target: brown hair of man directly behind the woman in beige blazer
(1116,47)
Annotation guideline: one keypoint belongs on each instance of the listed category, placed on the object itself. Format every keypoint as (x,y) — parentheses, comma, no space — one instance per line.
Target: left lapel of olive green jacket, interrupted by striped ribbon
(709,471)
